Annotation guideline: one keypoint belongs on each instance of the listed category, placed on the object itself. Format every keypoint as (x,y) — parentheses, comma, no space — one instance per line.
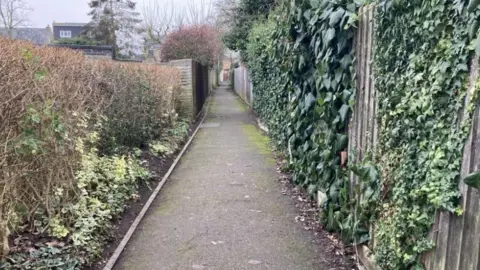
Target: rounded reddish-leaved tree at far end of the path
(199,42)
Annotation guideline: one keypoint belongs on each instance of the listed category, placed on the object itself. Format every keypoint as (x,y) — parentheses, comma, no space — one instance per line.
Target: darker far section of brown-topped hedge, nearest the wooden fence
(138,111)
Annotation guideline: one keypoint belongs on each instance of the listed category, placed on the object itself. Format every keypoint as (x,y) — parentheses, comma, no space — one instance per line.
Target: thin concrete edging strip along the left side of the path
(123,244)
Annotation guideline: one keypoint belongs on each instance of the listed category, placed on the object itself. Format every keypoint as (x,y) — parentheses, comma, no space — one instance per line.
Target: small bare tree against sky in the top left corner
(14,14)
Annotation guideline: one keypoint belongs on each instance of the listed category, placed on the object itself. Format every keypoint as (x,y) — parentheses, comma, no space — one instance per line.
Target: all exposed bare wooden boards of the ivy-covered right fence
(456,238)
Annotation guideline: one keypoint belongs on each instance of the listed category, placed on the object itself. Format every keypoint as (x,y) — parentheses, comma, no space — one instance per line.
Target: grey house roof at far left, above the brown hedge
(38,36)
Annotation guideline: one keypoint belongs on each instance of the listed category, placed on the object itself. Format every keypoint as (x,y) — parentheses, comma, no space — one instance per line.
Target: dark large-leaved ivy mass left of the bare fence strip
(304,89)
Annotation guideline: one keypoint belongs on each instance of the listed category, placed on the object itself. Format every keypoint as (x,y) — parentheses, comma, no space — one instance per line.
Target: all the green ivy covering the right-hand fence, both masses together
(302,64)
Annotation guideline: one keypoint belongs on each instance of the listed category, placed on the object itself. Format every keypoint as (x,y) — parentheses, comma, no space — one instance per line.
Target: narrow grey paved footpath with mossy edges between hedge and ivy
(223,208)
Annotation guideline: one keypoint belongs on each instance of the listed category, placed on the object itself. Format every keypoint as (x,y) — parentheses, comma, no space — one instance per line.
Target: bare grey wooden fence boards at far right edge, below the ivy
(457,238)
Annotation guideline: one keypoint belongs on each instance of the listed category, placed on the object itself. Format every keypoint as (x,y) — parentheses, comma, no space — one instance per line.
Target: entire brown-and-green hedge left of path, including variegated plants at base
(69,128)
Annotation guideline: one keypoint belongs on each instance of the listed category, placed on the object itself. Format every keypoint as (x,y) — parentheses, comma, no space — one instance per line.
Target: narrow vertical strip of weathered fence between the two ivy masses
(363,131)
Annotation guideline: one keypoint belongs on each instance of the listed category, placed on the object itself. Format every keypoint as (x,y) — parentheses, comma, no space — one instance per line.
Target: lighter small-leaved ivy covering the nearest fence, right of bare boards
(422,49)
